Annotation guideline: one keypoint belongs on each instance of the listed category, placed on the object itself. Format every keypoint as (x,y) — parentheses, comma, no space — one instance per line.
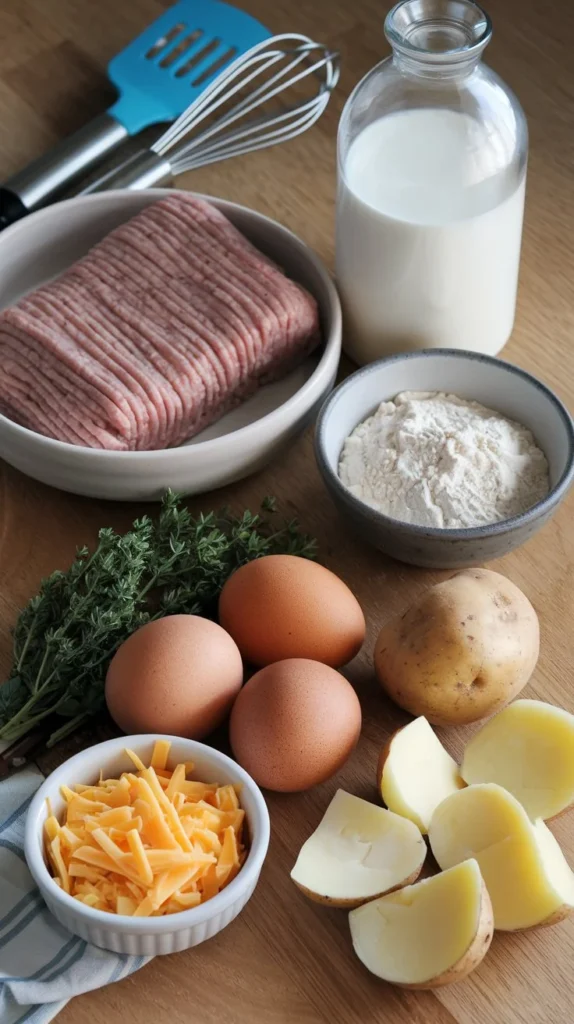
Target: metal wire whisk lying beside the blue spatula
(266,73)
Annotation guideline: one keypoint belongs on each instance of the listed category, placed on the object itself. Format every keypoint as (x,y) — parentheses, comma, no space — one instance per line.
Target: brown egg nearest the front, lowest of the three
(294,724)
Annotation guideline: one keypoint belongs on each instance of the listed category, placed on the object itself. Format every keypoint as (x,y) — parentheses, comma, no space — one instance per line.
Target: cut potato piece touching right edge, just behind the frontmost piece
(524,870)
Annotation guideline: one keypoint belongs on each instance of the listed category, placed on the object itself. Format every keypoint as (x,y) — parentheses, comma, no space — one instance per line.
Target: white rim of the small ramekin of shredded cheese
(172,922)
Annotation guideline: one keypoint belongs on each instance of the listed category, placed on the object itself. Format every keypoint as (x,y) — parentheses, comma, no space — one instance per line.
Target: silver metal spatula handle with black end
(35,186)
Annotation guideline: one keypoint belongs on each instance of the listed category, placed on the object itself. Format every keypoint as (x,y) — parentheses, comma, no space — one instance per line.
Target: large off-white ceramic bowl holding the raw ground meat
(40,247)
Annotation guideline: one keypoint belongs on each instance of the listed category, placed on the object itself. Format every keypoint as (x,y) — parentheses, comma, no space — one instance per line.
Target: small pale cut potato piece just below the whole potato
(416,774)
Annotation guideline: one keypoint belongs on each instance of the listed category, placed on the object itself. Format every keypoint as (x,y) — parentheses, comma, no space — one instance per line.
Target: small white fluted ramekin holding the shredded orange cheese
(148,936)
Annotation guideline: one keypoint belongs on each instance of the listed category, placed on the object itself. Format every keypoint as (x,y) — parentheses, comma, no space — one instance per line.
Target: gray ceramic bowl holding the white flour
(493,382)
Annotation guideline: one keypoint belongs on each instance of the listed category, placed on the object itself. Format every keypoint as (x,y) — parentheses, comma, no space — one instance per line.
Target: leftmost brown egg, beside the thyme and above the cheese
(179,675)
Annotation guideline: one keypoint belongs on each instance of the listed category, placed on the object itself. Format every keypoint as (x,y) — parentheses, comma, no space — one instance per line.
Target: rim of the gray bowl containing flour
(546,505)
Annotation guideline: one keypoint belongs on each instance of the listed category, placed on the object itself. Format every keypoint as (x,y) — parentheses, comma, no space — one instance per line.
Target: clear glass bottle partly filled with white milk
(432,166)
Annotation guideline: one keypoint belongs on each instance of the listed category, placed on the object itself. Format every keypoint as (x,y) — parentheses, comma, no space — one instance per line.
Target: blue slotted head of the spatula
(172,62)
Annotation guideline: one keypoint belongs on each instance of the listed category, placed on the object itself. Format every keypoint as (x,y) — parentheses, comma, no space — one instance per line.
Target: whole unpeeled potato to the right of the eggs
(462,652)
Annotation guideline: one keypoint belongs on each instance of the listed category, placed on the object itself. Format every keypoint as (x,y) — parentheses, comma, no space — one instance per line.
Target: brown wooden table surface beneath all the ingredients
(286,960)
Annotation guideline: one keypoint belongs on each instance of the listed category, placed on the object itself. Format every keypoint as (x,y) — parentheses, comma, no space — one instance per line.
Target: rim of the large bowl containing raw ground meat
(332,342)
